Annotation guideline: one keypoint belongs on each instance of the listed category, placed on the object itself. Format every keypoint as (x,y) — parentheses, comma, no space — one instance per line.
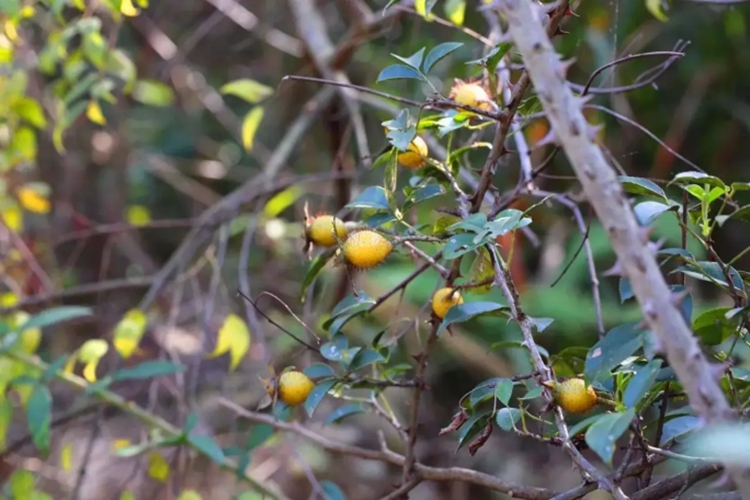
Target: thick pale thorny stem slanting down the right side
(604,192)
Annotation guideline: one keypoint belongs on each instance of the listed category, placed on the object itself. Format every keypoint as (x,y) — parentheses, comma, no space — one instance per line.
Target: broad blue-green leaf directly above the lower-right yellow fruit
(616,346)
